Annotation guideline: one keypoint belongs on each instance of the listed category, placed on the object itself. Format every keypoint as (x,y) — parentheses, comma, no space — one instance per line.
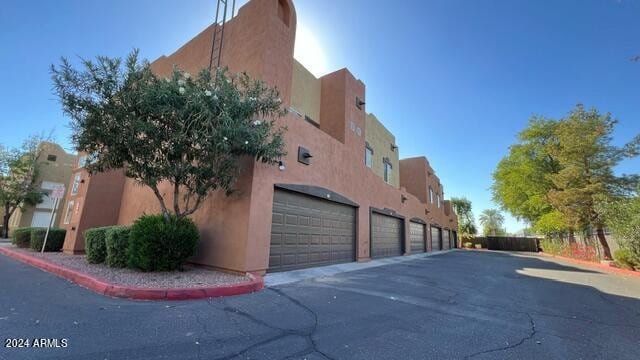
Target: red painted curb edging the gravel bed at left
(105,288)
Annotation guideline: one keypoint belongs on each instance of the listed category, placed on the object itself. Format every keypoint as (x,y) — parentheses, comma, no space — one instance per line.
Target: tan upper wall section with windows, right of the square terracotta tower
(380,139)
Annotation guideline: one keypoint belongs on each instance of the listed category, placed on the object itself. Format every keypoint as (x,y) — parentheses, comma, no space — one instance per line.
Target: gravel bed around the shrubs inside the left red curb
(190,277)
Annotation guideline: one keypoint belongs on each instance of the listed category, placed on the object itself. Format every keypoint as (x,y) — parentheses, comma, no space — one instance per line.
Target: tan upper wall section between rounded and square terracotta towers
(306,92)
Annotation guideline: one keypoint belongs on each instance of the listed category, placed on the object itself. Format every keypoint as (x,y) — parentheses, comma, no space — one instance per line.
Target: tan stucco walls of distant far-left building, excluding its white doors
(57,171)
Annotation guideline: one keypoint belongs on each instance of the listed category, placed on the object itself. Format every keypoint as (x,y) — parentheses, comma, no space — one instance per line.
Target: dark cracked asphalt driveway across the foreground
(459,305)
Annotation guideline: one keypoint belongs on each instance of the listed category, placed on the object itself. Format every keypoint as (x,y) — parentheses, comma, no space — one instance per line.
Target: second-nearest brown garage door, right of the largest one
(386,236)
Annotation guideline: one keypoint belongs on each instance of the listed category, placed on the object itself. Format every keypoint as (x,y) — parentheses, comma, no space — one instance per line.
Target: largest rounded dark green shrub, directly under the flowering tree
(156,244)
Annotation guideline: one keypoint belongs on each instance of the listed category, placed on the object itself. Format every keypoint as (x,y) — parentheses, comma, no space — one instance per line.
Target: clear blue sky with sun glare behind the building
(453,80)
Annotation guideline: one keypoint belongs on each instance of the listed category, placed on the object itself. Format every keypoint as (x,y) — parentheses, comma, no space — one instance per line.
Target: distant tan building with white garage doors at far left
(54,168)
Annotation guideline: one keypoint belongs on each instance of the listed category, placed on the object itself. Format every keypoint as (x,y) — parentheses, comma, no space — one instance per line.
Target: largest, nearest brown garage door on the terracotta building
(307,231)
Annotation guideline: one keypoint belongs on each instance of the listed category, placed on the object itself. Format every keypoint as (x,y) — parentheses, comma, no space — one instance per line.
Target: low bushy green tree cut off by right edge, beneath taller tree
(623,219)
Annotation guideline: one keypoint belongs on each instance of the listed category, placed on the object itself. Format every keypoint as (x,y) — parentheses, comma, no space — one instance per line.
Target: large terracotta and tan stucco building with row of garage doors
(352,200)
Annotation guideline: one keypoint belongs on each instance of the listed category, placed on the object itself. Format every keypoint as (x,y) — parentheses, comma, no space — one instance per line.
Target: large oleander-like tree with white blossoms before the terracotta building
(190,132)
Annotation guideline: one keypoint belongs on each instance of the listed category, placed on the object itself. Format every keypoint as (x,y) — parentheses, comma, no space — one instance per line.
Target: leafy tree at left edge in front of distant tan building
(18,178)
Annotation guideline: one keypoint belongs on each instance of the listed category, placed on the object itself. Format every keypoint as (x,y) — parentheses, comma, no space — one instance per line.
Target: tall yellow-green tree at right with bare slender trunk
(587,159)
